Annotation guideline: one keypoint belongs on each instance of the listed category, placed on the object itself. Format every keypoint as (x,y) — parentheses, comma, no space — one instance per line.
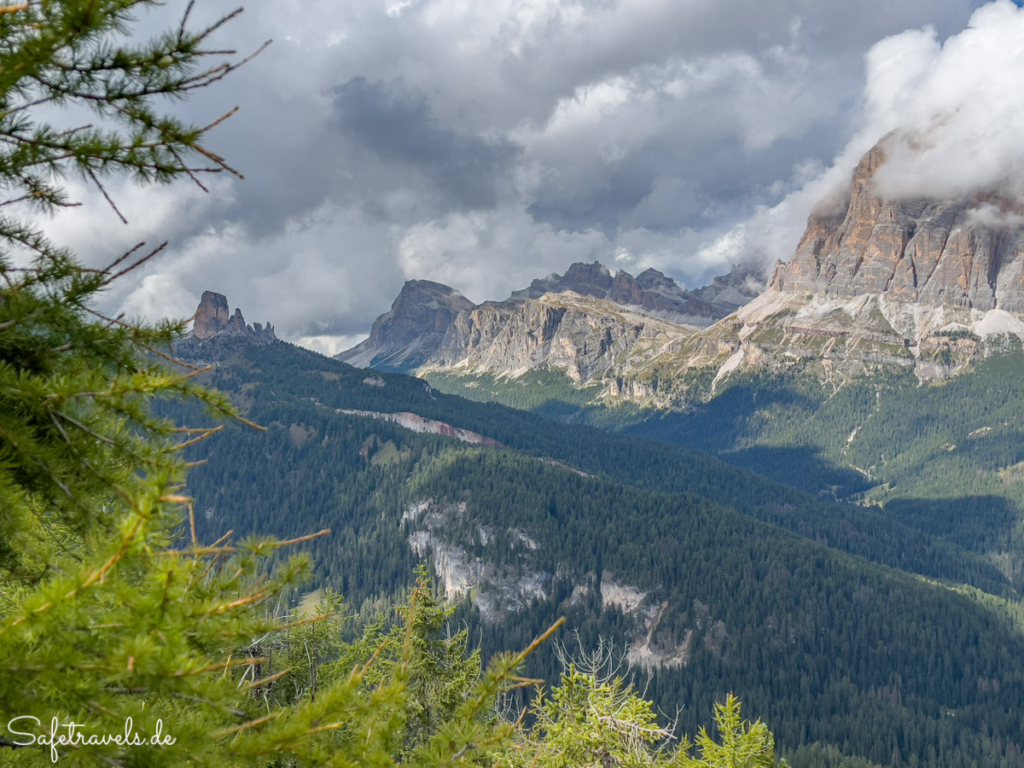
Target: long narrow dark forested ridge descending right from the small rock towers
(271,377)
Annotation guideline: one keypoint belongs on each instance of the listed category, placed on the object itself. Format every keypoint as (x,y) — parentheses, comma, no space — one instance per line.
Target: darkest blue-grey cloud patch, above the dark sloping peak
(400,127)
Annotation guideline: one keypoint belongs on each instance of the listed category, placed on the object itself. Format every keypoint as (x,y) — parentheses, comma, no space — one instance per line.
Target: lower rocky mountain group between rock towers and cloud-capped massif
(600,324)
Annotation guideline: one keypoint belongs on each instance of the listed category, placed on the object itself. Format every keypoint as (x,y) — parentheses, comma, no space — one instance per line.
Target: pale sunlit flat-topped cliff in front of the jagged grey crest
(584,337)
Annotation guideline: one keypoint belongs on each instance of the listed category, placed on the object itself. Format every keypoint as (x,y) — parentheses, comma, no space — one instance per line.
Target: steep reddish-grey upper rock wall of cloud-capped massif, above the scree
(965,253)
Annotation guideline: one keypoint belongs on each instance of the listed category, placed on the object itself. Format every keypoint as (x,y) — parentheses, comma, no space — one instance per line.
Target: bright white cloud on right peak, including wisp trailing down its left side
(958,113)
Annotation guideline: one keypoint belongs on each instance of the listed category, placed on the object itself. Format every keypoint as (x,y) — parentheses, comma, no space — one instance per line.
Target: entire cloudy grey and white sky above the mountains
(484,144)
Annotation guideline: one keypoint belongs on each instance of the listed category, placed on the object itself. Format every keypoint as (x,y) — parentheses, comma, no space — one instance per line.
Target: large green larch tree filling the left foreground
(108,616)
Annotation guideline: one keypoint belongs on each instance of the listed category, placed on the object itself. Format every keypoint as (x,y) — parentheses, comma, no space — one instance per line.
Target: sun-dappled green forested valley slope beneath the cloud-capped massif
(944,457)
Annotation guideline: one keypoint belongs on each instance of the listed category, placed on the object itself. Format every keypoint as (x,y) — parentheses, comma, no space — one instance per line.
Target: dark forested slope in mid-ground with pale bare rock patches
(671,553)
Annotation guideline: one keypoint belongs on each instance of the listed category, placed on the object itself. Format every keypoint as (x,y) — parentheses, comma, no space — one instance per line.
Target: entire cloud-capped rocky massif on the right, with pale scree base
(922,284)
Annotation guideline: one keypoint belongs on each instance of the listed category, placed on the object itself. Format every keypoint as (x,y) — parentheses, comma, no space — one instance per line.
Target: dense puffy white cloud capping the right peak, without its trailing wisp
(959,106)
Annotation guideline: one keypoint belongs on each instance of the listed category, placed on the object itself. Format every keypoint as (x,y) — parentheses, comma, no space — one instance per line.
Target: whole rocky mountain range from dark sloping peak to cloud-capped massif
(919,284)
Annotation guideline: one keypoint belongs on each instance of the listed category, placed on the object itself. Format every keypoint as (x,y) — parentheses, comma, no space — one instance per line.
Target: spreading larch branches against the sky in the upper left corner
(78,54)
